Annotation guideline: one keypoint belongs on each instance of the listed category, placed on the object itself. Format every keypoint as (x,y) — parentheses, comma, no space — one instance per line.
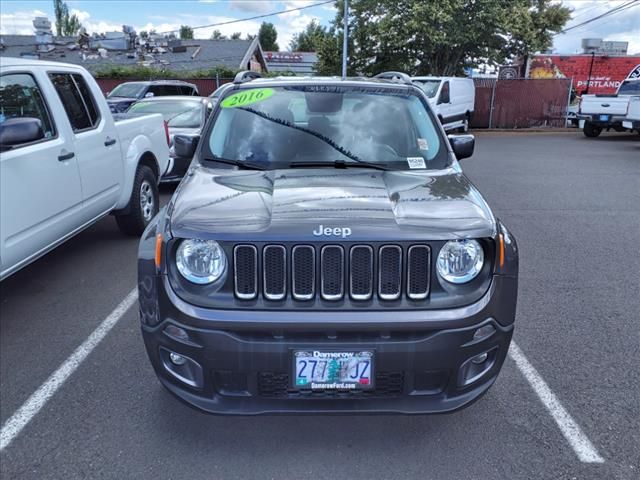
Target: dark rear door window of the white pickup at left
(77,100)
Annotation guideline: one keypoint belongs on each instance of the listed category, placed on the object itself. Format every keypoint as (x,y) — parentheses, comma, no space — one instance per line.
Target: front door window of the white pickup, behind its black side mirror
(20,97)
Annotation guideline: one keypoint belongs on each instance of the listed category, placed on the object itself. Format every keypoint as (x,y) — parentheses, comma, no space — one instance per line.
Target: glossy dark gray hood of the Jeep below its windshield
(292,204)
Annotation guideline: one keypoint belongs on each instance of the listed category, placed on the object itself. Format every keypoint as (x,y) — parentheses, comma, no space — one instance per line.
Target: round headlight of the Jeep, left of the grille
(201,261)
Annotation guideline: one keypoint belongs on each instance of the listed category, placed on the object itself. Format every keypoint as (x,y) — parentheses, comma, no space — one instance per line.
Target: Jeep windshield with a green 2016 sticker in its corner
(326,125)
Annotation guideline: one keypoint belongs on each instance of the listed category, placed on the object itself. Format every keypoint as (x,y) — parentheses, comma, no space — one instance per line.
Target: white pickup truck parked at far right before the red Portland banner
(608,111)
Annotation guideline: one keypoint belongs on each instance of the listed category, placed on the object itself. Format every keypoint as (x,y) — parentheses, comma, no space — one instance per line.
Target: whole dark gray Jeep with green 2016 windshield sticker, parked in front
(325,253)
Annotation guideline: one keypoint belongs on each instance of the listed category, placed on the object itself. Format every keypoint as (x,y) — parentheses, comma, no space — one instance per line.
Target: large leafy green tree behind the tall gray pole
(443,37)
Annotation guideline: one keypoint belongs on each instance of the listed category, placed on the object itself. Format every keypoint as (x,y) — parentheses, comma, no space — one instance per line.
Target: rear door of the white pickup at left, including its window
(96,141)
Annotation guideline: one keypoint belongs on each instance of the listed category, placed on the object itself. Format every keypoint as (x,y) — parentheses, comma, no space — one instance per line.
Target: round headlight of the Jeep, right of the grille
(460,261)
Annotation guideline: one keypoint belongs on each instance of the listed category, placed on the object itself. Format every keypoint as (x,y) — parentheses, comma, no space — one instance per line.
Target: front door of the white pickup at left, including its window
(40,191)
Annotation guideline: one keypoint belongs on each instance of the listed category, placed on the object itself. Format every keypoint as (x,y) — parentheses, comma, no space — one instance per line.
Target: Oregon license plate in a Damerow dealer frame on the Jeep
(331,370)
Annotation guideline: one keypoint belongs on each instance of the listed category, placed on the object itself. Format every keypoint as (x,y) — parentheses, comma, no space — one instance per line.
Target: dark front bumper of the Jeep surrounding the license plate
(242,365)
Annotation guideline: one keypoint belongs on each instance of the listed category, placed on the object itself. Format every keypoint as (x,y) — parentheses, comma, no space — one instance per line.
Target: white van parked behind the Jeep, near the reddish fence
(451,98)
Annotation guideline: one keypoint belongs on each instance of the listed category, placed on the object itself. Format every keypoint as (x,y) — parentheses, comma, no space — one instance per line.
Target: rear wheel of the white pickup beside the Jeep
(143,205)
